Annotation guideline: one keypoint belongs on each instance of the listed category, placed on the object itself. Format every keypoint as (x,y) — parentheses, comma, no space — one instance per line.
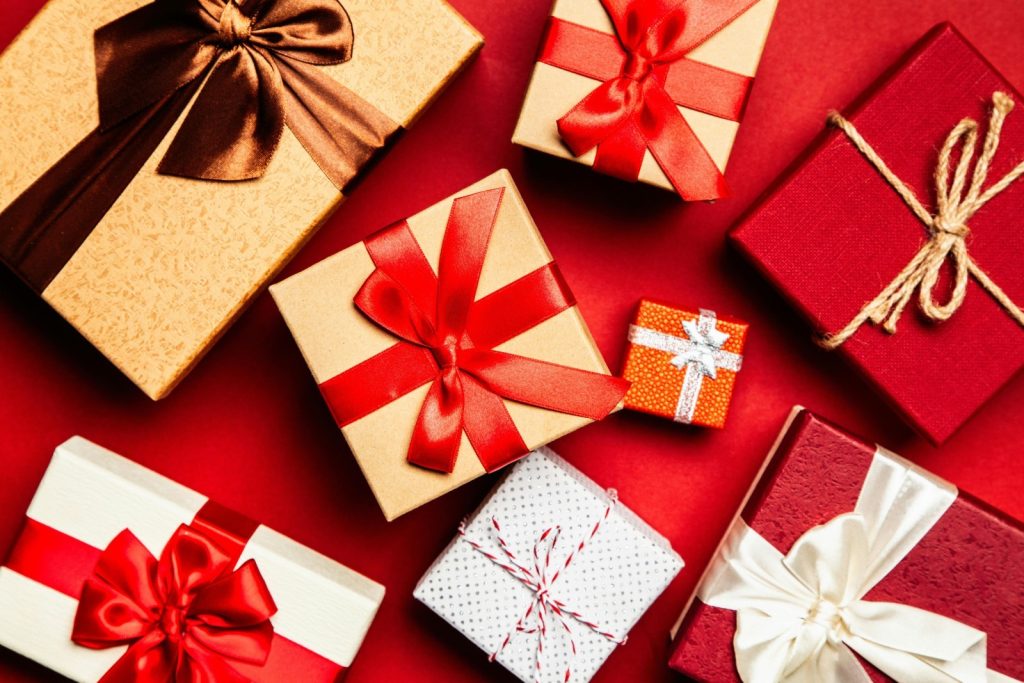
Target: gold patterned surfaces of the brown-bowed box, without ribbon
(176,261)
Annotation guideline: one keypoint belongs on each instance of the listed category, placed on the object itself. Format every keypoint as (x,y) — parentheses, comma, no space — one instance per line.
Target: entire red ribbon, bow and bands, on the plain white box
(192,616)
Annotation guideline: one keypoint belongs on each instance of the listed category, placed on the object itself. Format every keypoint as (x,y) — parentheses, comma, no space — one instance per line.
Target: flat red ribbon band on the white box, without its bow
(65,565)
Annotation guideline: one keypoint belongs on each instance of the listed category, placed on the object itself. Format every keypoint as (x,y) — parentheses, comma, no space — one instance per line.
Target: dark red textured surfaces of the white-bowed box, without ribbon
(970,567)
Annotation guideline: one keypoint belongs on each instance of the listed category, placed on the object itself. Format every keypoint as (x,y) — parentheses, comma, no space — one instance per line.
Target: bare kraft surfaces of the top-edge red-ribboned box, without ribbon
(553,92)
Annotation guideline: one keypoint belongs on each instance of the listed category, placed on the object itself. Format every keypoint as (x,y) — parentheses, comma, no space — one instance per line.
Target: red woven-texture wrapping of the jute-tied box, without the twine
(834,234)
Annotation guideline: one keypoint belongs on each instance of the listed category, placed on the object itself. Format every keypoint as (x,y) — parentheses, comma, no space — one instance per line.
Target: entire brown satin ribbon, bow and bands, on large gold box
(254,65)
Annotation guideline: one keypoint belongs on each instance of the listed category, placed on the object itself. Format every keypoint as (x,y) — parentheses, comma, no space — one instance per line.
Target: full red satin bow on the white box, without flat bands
(185,619)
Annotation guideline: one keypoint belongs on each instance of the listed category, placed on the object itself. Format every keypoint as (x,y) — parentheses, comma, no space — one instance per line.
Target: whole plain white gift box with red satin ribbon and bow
(120,574)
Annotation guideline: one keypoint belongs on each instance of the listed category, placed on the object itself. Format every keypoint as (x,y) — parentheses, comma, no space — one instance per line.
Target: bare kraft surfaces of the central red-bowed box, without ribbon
(334,337)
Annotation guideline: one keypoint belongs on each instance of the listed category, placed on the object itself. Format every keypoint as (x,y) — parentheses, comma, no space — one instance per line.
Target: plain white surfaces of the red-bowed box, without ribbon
(93,495)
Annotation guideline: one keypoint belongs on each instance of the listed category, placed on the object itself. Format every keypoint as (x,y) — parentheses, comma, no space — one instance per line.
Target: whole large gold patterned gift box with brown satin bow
(115,150)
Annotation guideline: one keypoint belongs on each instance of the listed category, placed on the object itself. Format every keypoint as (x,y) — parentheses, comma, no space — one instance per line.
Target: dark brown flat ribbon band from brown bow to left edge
(49,223)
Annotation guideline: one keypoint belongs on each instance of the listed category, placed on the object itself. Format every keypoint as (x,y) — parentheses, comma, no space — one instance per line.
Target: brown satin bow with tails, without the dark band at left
(258,60)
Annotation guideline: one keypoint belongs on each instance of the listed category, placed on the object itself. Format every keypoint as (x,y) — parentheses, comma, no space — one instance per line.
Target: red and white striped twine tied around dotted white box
(541,581)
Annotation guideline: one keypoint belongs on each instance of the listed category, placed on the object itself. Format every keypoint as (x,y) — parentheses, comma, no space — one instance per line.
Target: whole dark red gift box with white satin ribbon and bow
(847,563)
